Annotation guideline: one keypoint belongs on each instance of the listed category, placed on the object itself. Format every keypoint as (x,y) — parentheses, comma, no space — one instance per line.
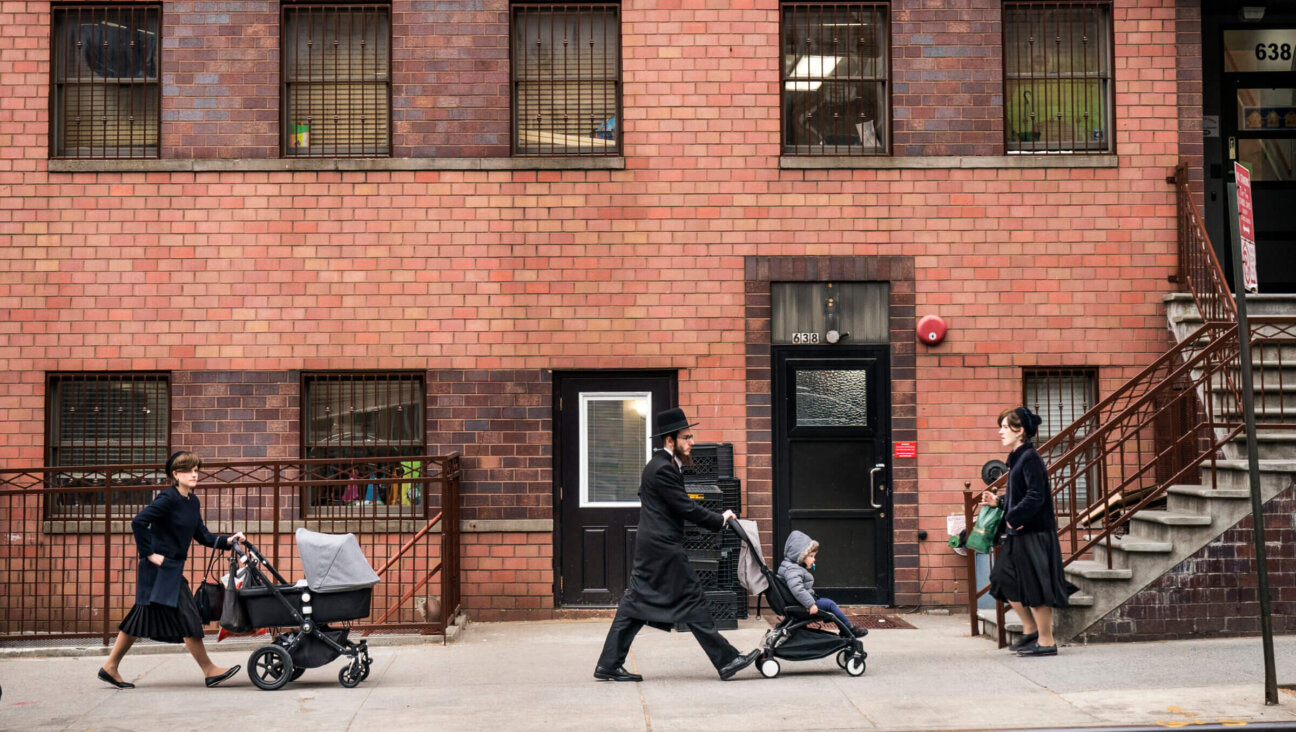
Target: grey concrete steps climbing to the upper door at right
(1194,514)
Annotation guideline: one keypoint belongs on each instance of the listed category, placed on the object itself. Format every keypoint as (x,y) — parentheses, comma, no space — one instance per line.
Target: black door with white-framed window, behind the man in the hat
(602,445)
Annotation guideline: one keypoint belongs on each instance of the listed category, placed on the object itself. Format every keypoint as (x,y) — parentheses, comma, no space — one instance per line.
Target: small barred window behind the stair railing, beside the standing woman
(1061,397)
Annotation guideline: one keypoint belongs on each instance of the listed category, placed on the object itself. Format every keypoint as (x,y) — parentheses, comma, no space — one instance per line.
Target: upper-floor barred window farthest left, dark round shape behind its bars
(107,98)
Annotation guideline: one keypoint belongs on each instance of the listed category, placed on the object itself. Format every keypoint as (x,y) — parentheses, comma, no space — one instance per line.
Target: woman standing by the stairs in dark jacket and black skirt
(1028,573)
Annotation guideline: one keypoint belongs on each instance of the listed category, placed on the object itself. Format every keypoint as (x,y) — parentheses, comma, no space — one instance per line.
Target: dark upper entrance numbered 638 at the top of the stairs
(1256,72)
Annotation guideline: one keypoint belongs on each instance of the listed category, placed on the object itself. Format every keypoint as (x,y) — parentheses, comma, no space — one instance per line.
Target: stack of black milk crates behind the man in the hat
(713,555)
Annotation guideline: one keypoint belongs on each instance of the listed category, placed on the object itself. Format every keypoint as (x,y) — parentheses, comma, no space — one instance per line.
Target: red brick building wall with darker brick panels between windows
(491,280)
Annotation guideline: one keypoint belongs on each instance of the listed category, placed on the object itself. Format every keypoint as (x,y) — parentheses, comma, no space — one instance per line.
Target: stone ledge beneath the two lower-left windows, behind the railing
(90,525)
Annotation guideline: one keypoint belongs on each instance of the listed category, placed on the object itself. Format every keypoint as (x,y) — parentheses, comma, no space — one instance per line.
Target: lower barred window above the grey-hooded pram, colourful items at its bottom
(362,415)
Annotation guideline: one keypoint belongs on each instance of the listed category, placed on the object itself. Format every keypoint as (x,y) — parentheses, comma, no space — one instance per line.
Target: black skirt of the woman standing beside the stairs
(1030,572)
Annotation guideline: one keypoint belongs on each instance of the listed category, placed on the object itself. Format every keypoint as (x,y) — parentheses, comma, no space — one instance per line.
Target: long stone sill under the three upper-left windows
(340,165)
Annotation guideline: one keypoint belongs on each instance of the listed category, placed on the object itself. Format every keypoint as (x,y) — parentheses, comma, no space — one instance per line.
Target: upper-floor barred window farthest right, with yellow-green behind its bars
(1058,77)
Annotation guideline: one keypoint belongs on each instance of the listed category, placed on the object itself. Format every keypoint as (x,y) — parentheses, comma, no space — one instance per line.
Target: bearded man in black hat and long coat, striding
(663,590)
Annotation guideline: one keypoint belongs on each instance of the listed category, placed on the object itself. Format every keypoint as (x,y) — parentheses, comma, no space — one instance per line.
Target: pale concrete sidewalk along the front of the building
(538,677)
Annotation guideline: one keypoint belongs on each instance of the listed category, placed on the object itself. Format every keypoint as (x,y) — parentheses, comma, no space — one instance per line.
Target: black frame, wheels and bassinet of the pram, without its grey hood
(312,643)
